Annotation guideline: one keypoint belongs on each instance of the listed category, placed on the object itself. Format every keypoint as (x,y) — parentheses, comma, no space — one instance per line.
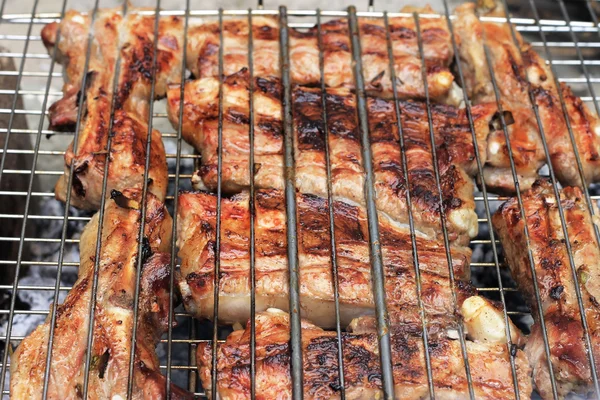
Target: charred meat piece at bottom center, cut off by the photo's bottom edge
(490,366)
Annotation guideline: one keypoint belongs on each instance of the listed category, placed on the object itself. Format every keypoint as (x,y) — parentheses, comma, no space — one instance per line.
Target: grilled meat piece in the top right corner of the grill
(519,69)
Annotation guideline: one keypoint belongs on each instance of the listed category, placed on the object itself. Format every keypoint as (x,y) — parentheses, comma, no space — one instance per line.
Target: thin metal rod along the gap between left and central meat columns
(173,264)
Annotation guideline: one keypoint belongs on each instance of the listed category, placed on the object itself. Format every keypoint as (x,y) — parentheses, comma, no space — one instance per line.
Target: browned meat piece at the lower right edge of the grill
(555,281)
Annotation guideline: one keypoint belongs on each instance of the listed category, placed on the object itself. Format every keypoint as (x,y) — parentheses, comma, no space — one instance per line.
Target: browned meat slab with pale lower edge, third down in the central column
(196,242)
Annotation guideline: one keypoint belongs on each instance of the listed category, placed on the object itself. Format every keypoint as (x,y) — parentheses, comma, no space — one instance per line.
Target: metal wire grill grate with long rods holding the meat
(351,14)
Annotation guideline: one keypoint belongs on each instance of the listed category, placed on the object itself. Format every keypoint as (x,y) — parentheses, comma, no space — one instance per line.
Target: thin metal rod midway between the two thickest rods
(331,210)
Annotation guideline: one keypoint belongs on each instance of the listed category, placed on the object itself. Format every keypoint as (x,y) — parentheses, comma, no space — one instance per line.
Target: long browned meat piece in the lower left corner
(114,314)
